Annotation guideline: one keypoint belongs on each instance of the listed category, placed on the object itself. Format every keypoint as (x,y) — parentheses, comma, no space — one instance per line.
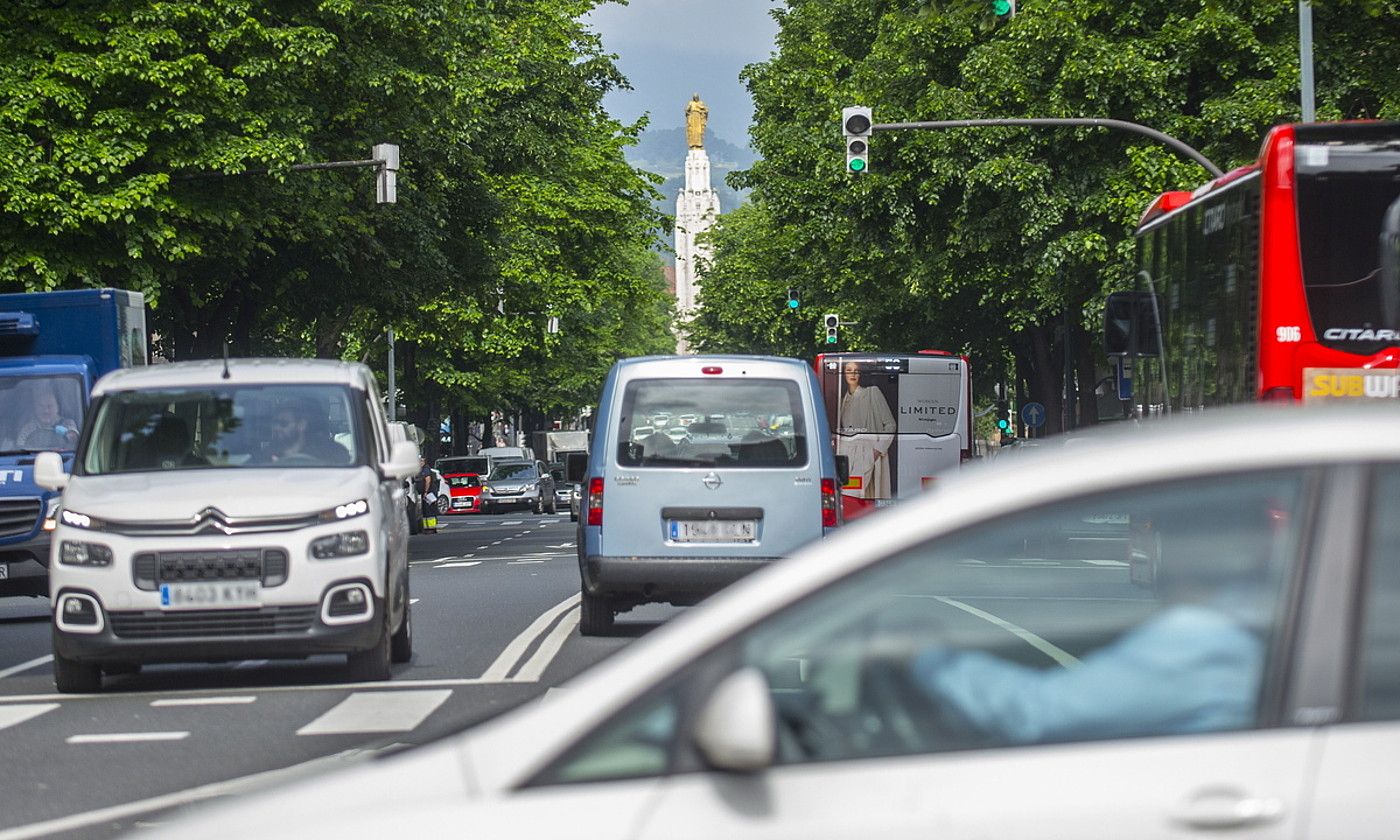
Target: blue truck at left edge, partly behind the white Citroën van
(54,346)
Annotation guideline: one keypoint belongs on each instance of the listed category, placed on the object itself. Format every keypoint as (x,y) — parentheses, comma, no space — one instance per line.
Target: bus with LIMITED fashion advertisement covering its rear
(899,419)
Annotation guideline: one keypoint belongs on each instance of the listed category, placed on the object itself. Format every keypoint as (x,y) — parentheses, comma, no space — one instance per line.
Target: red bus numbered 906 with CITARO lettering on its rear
(1275,282)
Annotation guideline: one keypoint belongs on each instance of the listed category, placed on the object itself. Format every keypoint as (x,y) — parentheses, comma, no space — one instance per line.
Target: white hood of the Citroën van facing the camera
(240,492)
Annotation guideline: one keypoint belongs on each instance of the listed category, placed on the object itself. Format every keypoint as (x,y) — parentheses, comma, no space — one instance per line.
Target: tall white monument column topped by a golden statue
(696,211)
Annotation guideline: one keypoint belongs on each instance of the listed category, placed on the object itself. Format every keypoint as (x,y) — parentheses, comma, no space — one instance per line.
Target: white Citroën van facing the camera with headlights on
(232,510)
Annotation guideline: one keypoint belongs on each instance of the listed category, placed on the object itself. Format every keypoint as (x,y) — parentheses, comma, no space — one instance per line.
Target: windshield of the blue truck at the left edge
(40,414)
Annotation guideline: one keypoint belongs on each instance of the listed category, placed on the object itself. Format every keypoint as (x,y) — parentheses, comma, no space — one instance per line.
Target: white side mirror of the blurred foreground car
(737,727)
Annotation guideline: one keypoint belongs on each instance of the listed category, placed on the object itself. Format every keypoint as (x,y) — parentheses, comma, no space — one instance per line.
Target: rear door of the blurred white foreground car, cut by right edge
(1356,794)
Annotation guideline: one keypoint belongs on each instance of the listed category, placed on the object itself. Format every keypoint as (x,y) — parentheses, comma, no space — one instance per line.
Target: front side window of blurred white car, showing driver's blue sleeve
(1032,631)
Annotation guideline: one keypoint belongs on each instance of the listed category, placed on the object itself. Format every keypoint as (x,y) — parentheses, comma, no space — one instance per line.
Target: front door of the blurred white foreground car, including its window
(985,687)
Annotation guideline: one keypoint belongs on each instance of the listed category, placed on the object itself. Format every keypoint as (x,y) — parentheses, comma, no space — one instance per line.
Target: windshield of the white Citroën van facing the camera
(219,428)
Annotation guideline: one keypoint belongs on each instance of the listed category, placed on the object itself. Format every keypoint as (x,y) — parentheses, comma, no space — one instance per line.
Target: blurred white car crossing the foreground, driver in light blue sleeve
(936,671)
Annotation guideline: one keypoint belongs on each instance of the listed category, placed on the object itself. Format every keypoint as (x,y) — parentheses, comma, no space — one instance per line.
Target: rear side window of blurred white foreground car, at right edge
(1381,631)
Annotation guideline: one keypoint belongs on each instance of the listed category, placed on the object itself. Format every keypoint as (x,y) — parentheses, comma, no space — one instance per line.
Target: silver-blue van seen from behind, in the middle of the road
(703,468)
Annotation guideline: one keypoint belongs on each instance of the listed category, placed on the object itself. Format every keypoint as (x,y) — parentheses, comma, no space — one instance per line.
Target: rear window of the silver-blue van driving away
(712,423)
